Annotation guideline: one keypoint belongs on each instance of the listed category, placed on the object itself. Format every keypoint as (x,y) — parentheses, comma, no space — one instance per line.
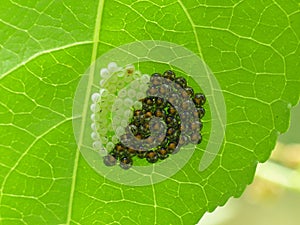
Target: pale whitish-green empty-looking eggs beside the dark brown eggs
(108,113)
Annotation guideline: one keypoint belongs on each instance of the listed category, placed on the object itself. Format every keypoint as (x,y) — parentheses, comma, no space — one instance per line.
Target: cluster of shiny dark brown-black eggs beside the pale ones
(179,129)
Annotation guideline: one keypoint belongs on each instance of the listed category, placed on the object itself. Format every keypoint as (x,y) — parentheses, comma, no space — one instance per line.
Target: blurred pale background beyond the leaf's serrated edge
(274,196)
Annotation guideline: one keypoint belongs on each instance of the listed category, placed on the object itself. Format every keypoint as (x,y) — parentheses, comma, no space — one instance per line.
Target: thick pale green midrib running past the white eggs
(85,106)
